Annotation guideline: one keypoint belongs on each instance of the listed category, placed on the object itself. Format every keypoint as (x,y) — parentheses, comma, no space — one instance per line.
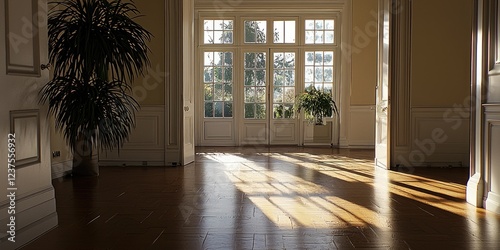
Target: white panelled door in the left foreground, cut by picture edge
(23,48)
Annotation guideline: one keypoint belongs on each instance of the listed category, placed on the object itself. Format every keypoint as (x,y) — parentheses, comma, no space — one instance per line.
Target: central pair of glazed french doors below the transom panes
(269,78)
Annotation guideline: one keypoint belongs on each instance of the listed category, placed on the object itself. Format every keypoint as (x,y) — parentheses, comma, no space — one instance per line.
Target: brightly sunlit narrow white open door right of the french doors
(383,99)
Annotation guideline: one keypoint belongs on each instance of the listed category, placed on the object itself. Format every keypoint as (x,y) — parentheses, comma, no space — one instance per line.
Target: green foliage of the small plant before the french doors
(317,105)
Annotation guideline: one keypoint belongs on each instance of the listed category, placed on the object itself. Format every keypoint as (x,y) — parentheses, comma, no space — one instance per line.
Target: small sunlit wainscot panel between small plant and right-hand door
(361,132)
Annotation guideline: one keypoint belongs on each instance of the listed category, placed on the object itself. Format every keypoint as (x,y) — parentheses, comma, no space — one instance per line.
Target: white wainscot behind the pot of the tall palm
(146,141)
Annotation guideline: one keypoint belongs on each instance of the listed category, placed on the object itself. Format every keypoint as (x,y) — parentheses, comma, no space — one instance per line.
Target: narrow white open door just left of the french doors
(188,149)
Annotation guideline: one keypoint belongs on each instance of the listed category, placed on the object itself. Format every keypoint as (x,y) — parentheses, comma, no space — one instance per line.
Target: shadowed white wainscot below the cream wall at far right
(439,137)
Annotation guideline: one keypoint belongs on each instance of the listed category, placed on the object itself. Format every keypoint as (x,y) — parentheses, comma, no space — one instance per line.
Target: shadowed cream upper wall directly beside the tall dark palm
(150,89)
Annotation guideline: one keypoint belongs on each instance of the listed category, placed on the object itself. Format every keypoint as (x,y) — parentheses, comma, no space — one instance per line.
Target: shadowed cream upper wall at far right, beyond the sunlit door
(441,40)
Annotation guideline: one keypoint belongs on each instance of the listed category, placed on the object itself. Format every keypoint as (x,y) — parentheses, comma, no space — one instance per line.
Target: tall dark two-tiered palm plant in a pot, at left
(96,49)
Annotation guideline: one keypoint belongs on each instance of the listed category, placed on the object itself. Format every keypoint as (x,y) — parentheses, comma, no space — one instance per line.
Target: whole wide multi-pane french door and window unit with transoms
(251,70)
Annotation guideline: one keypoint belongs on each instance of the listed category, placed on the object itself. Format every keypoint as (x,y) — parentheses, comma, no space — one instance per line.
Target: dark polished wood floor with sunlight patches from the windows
(270,198)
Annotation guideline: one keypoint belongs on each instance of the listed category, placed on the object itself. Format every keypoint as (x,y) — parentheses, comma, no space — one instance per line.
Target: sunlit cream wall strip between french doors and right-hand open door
(364,52)
